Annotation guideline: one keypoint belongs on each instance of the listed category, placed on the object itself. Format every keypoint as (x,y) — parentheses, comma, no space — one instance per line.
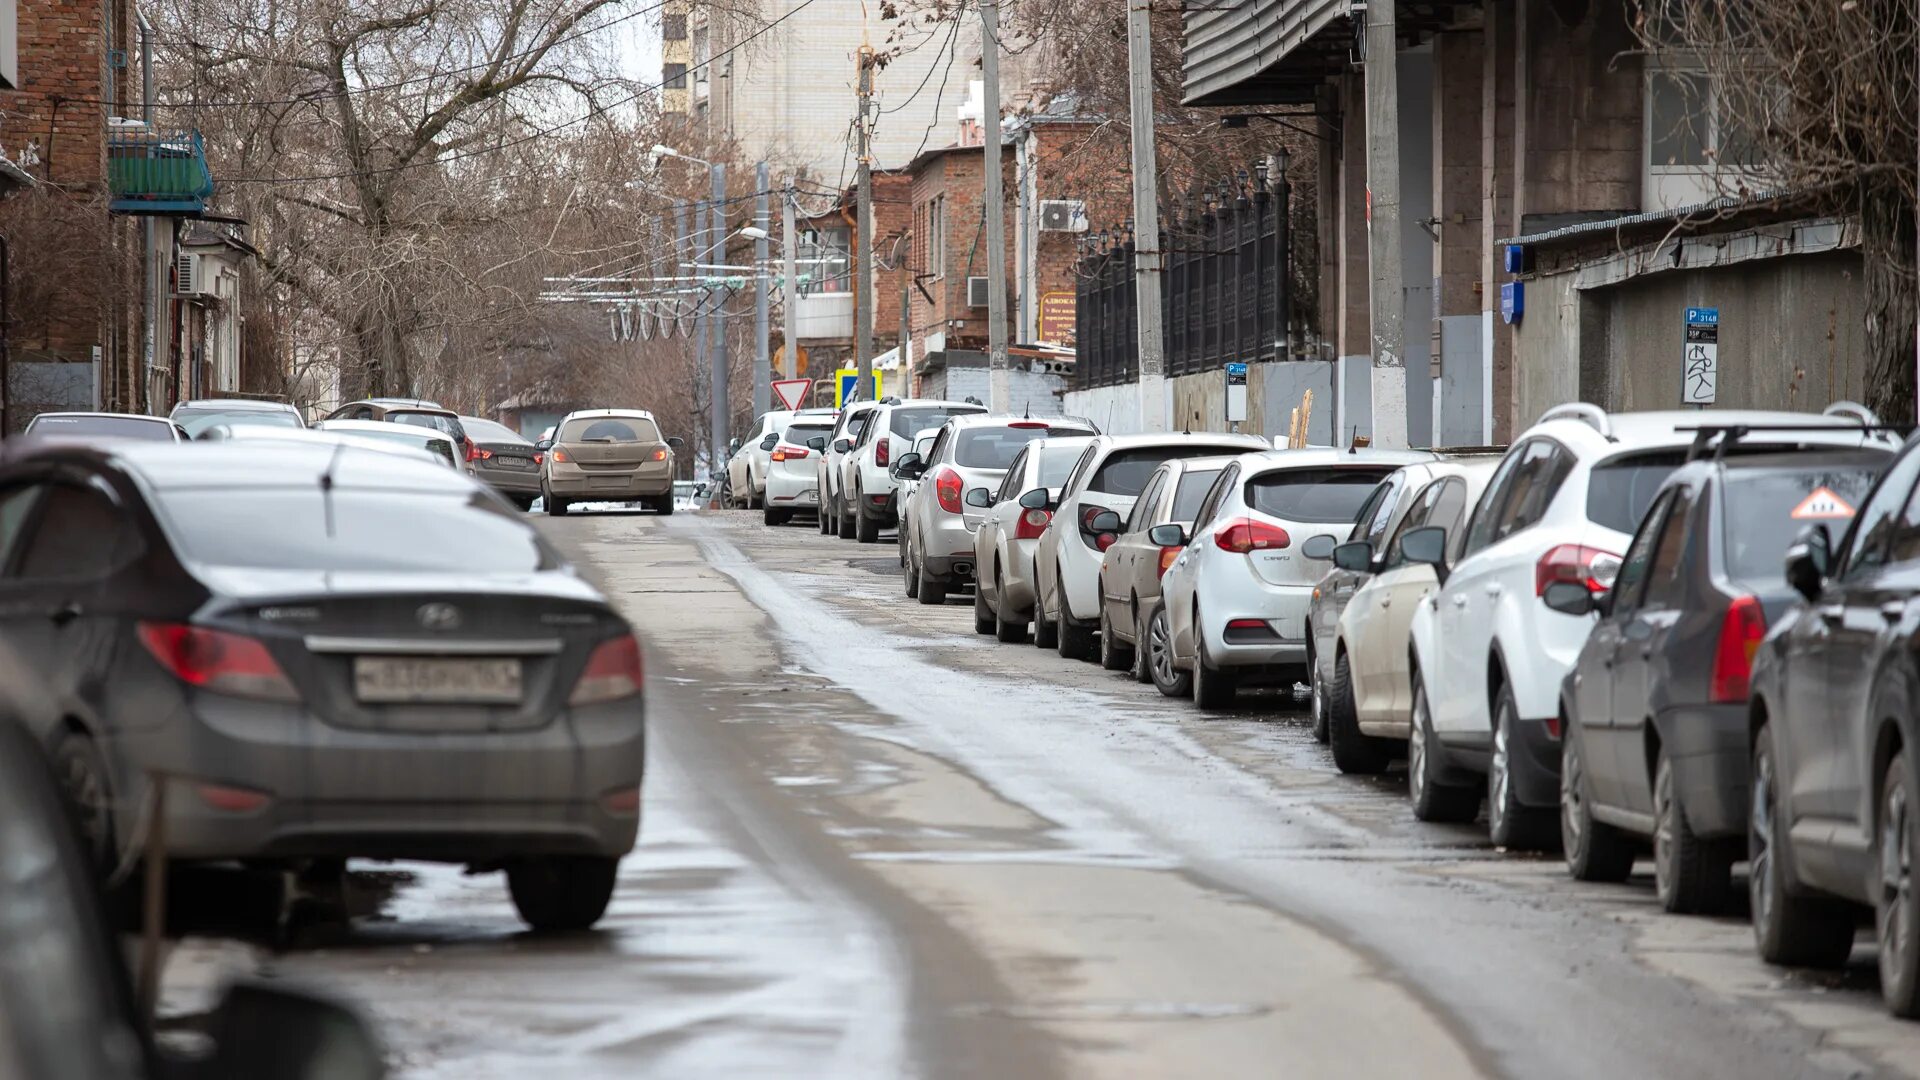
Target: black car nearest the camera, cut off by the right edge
(1836,772)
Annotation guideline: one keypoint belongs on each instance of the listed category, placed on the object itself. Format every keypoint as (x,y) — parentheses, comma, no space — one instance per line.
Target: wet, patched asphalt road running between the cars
(876,845)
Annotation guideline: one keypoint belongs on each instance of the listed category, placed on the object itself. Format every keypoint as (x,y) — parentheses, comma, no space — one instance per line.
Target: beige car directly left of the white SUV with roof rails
(1368,697)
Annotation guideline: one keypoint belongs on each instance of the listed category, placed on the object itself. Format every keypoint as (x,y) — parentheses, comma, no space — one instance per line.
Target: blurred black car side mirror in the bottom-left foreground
(272,1031)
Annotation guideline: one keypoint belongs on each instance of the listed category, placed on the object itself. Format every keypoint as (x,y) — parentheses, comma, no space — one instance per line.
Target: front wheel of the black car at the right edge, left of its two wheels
(1798,931)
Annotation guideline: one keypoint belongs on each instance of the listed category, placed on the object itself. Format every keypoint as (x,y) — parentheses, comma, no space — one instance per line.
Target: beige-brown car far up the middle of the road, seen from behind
(608,456)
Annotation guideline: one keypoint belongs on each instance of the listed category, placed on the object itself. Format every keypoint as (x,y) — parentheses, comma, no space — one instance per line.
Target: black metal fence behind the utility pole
(1226,291)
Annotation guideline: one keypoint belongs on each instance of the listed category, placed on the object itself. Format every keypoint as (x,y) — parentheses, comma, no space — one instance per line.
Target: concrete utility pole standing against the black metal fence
(1147,255)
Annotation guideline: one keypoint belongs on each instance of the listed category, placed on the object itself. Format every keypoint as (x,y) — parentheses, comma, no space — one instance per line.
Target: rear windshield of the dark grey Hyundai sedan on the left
(291,529)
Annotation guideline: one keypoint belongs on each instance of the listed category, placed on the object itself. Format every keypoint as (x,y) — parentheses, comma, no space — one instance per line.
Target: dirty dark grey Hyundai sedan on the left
(281,633)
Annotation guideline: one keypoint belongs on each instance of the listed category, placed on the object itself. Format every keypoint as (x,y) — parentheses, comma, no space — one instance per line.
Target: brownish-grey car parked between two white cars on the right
(1155,535)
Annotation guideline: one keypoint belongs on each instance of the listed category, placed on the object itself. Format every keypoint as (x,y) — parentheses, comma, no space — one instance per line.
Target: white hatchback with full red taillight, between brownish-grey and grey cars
(1234,606)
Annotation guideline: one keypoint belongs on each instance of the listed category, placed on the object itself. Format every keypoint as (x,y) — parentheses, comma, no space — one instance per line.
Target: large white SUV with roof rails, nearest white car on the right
(1489,656)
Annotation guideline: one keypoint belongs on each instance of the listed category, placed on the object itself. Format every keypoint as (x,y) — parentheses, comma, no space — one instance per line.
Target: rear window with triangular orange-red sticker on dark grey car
(1767,510)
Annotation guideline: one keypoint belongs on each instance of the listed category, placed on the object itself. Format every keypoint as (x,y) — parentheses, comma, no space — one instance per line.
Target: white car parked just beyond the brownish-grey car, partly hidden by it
(1067,564)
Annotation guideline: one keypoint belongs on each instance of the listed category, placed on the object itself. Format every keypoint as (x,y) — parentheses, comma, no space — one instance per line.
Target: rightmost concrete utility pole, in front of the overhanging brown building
(1387,297)
